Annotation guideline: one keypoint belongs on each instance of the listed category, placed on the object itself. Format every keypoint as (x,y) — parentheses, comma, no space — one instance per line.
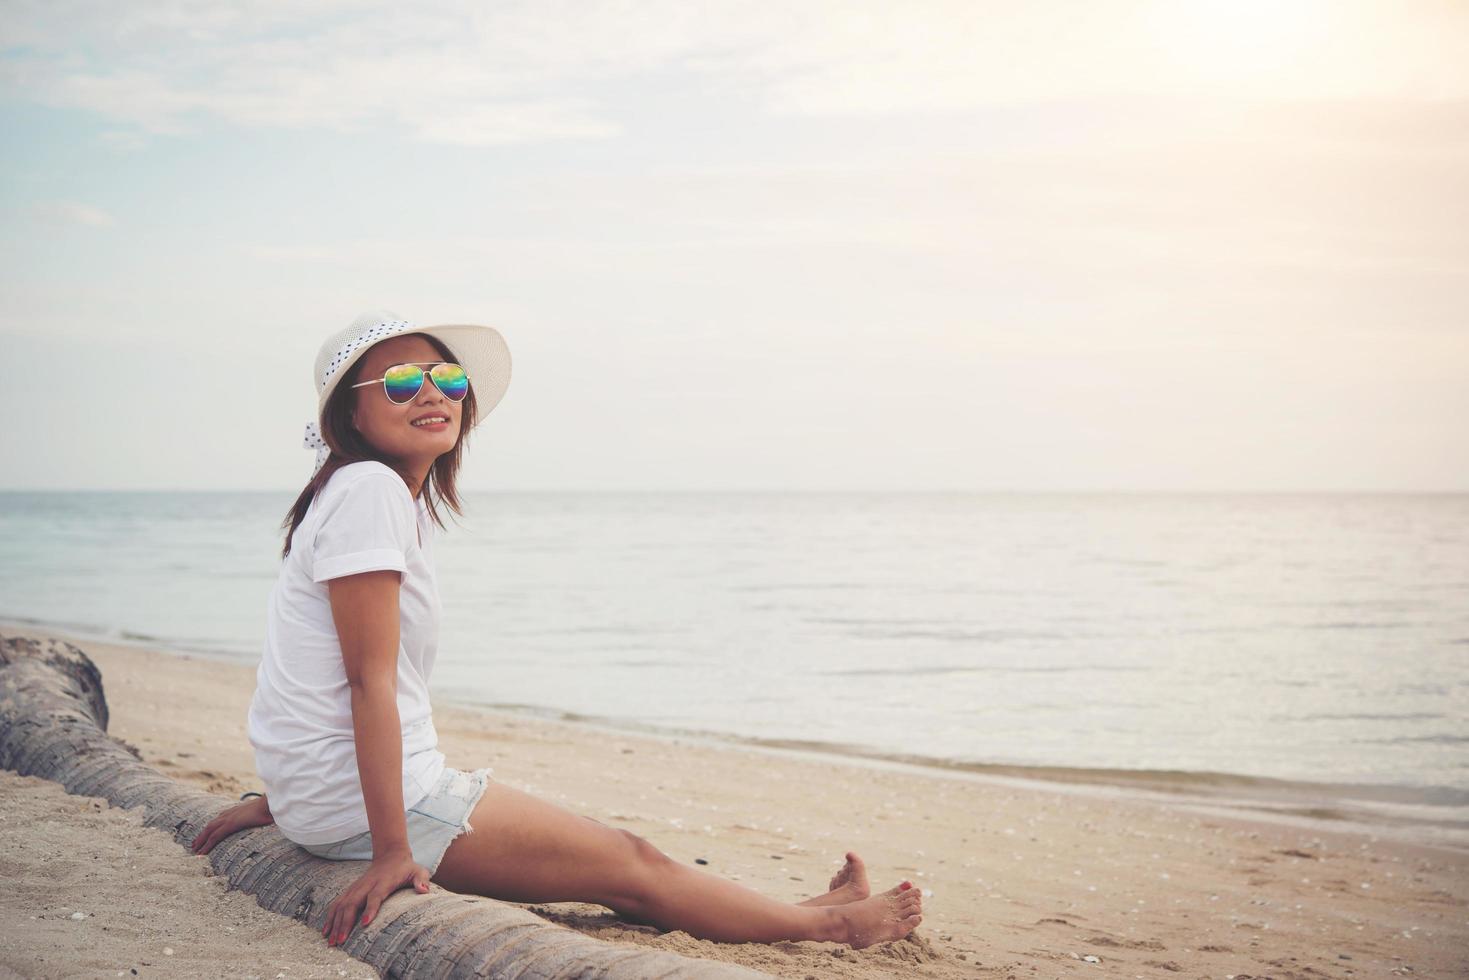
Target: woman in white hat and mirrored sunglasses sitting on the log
(340,722)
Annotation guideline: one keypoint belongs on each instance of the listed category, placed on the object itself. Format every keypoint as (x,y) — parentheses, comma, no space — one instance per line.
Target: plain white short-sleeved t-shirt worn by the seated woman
(302,718)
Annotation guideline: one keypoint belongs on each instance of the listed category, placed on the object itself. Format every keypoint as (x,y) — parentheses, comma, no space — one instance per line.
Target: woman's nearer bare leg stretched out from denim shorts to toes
(525,850)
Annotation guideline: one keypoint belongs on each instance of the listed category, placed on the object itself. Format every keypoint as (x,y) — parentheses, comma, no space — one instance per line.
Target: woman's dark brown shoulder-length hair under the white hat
(349,446)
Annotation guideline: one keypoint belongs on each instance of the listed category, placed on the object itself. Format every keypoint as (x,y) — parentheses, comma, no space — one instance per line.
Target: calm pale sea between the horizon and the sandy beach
(1305,656)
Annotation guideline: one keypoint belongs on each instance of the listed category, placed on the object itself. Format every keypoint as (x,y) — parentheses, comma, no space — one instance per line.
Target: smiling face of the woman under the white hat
(389,427)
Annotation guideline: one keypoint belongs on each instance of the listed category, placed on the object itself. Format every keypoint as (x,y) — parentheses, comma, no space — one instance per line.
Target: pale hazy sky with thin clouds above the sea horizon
(848,246)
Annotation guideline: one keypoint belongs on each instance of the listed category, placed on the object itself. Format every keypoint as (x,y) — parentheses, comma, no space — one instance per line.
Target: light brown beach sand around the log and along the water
(1020,879)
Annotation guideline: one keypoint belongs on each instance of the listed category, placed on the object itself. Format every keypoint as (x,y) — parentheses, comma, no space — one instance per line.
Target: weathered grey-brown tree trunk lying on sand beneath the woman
(54,724)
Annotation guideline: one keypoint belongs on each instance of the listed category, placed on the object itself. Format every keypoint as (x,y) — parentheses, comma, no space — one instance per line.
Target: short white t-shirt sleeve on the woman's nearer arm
(368,527)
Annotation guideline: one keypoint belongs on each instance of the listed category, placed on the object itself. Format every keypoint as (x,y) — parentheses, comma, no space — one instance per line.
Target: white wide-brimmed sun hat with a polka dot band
(481,350)
